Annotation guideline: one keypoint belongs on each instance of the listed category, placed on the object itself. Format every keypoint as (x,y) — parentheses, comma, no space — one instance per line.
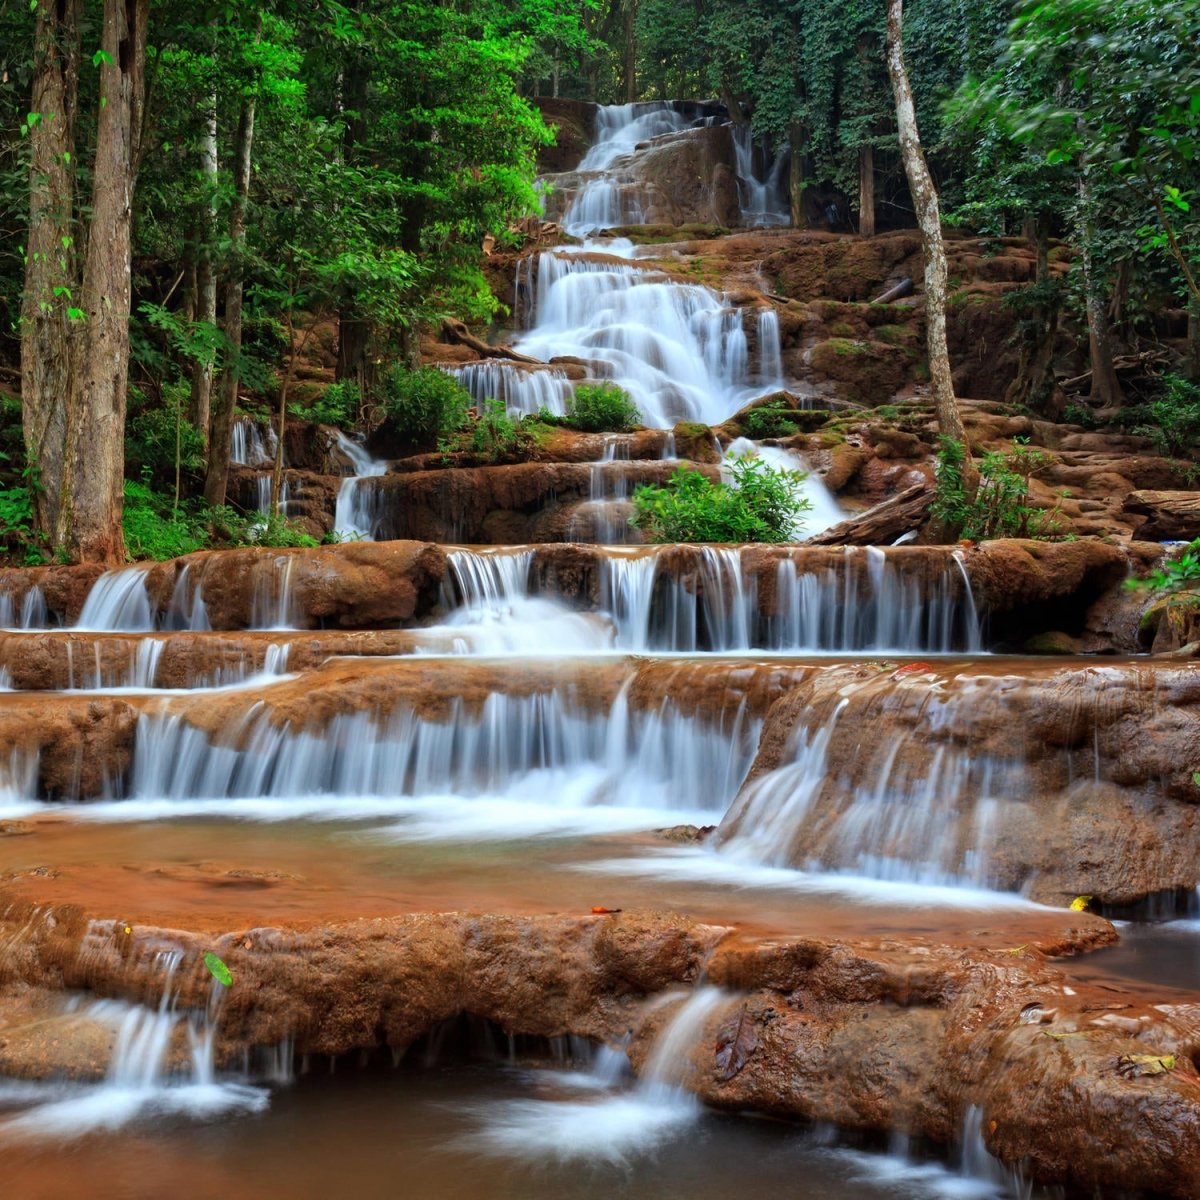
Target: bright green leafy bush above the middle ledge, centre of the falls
(759,506)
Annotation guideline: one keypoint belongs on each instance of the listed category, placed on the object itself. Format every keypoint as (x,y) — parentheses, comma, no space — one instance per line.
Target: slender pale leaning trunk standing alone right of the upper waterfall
(925,197)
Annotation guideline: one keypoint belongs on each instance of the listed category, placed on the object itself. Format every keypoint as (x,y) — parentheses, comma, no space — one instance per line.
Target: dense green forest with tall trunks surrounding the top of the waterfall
(189,190)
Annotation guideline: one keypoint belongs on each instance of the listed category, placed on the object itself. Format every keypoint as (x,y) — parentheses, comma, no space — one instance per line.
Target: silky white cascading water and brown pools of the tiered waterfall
(515,754)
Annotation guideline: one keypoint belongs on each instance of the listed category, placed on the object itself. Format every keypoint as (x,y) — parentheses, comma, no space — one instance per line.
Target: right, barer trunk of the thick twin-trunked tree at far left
(89,521)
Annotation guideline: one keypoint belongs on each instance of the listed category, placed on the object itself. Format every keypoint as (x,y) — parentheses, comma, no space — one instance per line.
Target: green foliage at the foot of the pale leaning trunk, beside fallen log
(1001,506)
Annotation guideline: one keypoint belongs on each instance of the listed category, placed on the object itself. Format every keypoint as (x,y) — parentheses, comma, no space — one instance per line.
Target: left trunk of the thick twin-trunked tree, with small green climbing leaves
(51,262)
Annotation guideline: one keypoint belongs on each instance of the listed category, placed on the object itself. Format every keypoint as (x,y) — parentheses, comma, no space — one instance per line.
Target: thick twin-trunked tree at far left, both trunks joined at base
(76,339)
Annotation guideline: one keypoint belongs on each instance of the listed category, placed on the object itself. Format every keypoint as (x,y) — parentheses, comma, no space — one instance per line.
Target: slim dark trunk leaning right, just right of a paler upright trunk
(217,479)
